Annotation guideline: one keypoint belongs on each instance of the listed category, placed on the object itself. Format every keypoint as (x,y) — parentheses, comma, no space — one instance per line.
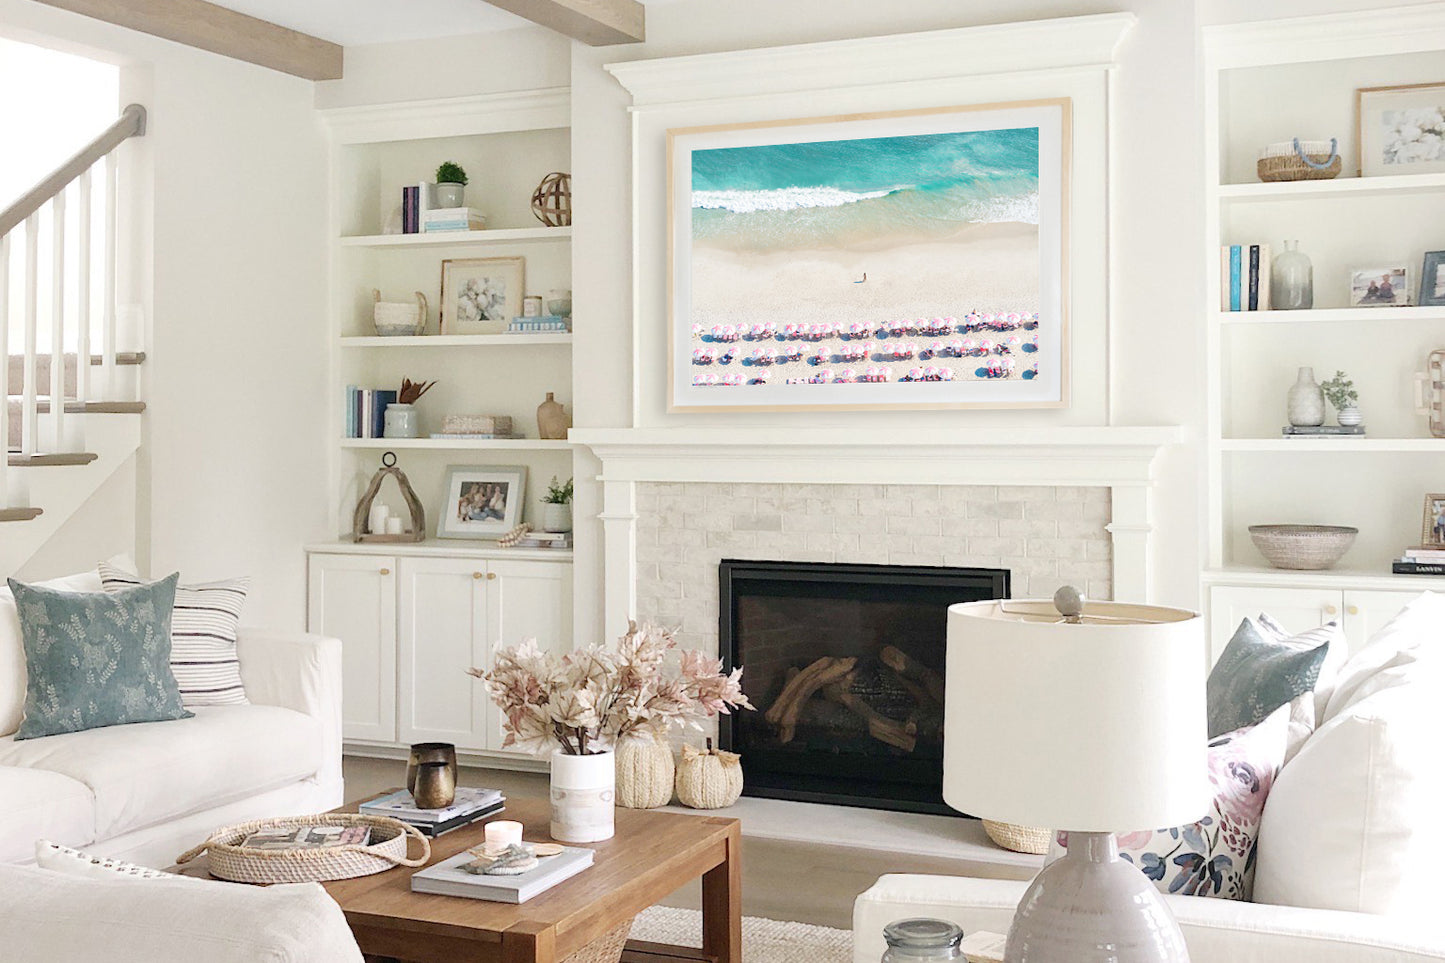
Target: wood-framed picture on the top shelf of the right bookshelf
(1401,129)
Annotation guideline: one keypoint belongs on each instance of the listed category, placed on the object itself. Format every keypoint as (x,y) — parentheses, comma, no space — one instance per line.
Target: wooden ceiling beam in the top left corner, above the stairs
(212,28)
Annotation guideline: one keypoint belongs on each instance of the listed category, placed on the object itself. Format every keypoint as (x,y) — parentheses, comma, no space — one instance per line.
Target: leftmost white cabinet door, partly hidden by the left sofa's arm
(353,598)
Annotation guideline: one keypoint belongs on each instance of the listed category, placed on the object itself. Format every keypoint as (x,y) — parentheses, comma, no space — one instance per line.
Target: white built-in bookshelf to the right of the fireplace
(1271,82)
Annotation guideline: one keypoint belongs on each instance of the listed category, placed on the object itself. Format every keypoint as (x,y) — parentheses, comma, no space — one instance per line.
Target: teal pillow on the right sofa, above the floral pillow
(1258,673)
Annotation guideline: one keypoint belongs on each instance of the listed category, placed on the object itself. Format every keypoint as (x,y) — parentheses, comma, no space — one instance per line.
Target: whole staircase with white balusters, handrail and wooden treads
(69,426)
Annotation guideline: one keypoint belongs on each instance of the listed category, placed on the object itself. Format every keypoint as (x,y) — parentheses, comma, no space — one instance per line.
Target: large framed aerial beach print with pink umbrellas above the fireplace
(911,260)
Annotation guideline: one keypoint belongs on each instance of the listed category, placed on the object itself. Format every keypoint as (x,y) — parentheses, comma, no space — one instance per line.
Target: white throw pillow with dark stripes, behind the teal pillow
(203,637)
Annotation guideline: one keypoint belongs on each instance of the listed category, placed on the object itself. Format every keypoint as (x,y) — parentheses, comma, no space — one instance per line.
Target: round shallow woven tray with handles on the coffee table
(241,864)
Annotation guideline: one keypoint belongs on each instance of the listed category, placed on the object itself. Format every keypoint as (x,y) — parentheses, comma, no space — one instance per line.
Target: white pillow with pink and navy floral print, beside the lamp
(1216,857)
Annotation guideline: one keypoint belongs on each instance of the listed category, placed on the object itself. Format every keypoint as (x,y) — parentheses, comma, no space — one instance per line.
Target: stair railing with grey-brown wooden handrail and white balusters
(24,380)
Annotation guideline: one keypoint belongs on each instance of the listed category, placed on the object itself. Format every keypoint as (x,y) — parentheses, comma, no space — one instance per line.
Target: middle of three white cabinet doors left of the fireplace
(443,605)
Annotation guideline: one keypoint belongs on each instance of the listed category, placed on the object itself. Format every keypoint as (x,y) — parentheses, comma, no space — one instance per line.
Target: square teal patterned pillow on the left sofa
(96,659)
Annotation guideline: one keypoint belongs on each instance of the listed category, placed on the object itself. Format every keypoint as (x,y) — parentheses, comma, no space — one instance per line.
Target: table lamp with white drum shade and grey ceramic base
(1087,718)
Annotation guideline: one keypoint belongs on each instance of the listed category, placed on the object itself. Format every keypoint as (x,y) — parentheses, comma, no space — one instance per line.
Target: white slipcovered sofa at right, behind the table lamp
(1346,868)
